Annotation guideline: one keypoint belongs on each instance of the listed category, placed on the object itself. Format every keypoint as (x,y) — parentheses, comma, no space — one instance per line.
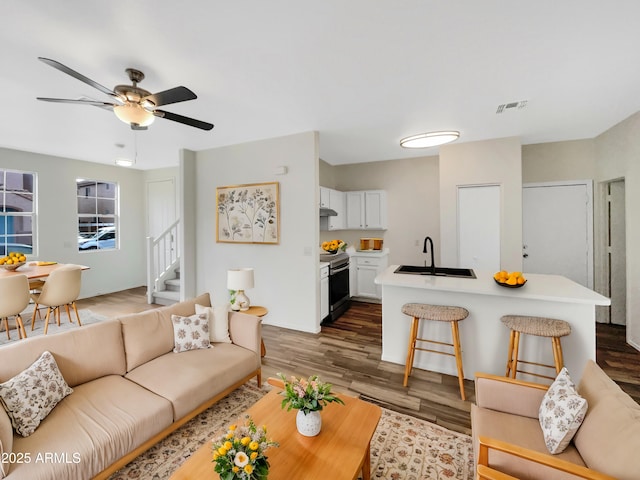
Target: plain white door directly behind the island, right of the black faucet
(479,227)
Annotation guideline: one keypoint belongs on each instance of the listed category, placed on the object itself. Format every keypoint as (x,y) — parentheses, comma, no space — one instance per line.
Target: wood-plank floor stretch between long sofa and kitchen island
(347,353)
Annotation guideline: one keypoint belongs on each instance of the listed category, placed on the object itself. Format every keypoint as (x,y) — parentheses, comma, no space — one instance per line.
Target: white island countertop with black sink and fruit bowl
(540,287)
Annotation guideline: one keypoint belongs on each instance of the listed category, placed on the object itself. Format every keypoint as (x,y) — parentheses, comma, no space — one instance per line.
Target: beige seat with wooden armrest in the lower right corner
(508,438)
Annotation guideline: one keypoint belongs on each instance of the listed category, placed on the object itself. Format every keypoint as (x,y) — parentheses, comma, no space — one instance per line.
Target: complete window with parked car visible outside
(97,215)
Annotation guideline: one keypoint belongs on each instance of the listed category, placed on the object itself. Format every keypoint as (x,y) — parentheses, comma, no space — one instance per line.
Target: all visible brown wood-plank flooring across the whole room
(347,354)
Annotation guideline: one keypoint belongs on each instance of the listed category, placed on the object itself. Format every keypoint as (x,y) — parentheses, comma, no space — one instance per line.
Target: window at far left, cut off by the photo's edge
(17,211)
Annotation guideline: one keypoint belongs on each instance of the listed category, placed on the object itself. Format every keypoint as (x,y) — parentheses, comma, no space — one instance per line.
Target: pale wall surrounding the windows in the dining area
(110,270)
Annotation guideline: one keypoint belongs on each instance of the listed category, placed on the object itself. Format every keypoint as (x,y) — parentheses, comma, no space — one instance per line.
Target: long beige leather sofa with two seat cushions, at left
(129,390)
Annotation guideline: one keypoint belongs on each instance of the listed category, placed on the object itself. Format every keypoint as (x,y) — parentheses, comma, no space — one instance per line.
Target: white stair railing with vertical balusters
(163,256)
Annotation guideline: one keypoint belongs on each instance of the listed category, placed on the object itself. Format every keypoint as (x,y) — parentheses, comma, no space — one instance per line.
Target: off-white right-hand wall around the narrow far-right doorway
(617,156)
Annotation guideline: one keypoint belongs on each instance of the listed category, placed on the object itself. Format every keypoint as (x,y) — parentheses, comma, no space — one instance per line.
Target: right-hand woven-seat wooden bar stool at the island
(538,326)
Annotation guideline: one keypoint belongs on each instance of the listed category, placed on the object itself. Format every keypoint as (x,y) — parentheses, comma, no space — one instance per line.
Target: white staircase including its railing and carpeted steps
(163,266)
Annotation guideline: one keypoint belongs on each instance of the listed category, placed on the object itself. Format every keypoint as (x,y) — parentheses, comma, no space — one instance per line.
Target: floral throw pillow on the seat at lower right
(561,413)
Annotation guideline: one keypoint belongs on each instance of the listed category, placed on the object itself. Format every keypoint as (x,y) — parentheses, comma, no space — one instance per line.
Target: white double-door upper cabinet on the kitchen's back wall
(366,210)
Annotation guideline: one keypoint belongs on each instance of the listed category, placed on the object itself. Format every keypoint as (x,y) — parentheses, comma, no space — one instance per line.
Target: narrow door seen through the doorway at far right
(617,254)
